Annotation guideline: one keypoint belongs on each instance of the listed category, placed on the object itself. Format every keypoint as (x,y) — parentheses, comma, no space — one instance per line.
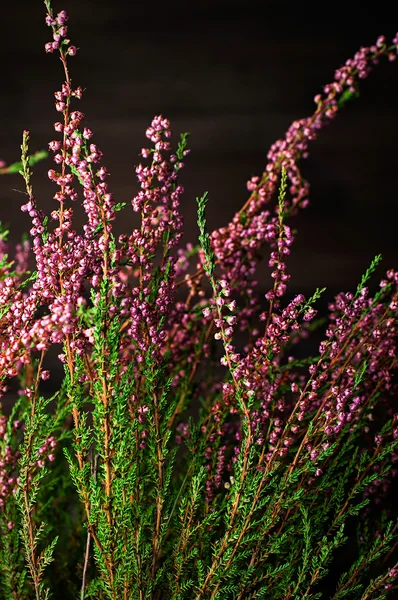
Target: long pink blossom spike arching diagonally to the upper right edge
(236,246)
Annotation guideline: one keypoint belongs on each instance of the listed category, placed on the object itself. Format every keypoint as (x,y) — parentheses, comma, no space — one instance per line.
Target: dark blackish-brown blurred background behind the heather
(235,77)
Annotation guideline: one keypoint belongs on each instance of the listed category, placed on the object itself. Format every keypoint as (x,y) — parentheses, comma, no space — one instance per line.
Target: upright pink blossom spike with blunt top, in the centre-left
(158,204)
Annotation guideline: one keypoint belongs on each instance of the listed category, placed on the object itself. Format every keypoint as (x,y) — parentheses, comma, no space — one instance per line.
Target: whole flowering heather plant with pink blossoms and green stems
(171,463)
